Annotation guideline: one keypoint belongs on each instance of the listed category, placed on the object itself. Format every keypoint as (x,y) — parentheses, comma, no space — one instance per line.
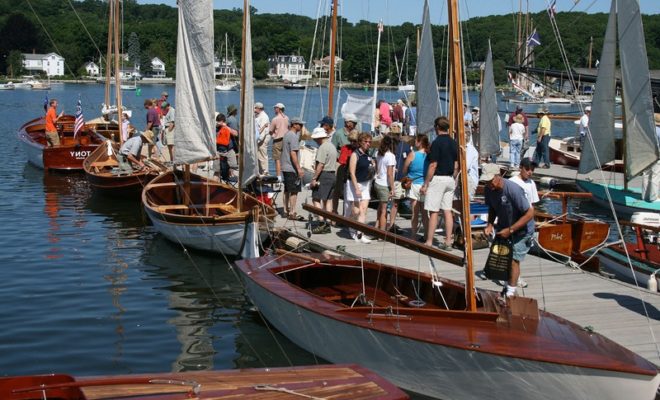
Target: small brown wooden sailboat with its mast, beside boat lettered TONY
(101,165)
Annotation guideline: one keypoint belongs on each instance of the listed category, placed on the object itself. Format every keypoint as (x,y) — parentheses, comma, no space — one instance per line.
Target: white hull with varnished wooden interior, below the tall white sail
(204,214)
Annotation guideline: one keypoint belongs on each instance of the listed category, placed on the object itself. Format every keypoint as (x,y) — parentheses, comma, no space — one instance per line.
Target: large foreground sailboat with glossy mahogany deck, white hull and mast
(431,335)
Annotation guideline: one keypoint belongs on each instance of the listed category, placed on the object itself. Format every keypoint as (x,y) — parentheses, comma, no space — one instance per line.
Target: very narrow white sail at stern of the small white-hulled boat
(248,153)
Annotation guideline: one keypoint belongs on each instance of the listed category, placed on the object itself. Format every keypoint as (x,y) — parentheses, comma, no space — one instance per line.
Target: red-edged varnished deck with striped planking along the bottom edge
(315,382)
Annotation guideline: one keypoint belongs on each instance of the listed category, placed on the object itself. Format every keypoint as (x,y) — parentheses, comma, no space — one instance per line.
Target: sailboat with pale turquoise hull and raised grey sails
(641,149)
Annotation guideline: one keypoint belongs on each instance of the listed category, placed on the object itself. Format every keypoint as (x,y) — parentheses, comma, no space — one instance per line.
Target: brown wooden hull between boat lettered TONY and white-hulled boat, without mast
(101,171)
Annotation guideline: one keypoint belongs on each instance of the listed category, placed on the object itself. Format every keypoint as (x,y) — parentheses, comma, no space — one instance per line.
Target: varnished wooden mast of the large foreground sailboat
(455,113)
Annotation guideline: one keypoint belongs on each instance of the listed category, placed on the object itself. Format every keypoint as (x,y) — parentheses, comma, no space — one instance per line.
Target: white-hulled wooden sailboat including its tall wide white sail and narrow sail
(190,209)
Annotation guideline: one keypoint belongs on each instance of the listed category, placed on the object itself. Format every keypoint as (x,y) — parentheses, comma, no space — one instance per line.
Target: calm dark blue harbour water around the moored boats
(89,288)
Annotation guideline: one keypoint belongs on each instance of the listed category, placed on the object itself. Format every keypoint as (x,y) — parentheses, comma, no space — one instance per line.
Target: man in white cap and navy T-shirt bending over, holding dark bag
(508,204)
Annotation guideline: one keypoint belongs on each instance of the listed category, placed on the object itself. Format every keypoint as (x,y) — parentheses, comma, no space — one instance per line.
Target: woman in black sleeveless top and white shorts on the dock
(359,185)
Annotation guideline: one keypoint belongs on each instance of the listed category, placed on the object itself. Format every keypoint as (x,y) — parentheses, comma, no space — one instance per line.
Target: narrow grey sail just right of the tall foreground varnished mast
(489,127)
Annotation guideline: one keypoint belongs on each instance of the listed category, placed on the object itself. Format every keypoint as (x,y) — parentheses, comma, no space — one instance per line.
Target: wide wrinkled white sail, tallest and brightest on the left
(195,96)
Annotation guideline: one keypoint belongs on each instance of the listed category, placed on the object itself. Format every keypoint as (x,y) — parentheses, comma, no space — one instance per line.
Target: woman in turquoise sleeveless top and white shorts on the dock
(415,168)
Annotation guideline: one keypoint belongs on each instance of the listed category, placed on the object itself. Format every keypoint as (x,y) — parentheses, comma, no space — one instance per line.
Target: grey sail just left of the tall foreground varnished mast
(426,85)
